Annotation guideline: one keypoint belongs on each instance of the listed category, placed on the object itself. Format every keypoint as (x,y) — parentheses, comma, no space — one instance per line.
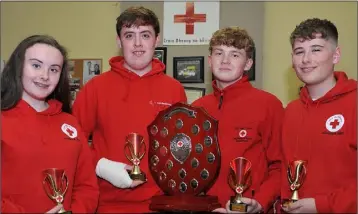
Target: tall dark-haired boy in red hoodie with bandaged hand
(123,100)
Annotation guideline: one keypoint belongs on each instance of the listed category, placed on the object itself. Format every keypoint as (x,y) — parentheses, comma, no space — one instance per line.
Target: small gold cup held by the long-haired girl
(55,184)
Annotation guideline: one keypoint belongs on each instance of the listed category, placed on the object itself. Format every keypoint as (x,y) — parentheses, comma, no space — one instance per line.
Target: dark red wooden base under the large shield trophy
(188,203)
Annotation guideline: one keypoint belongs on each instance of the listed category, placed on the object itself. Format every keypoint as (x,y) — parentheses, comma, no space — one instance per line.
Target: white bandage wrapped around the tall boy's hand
(114,172)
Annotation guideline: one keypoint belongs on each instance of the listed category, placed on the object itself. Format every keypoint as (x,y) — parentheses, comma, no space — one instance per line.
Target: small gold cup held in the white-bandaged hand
(134,149)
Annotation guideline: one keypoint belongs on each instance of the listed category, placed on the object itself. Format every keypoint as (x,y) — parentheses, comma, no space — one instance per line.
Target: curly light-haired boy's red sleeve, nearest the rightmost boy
(271,140)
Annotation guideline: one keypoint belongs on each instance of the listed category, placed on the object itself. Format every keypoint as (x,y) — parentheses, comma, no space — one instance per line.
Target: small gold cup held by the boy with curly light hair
(239,180)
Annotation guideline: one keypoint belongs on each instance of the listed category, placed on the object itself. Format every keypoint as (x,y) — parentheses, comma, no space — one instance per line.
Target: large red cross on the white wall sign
(189,18)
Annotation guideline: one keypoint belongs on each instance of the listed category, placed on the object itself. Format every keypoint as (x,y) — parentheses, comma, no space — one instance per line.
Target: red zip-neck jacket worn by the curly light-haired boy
(249,126)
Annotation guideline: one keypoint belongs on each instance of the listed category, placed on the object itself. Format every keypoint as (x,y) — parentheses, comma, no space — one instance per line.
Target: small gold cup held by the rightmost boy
(296,174)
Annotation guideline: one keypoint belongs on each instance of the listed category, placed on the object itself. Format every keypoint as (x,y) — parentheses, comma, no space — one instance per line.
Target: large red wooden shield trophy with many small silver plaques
(184,158)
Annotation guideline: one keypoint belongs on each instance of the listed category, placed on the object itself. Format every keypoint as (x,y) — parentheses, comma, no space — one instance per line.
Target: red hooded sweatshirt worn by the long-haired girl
(33,141)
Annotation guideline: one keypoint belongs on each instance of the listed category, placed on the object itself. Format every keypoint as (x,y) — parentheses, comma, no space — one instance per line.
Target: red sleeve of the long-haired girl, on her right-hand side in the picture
(85,192)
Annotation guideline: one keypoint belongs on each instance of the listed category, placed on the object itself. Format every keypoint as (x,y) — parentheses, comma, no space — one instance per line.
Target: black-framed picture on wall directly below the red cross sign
(189,69)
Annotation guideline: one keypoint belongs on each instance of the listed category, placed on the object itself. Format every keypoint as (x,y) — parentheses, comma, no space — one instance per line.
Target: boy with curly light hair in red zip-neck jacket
(249,121)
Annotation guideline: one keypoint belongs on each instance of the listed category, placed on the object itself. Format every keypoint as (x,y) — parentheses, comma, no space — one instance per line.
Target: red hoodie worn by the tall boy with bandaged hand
(111,106)
